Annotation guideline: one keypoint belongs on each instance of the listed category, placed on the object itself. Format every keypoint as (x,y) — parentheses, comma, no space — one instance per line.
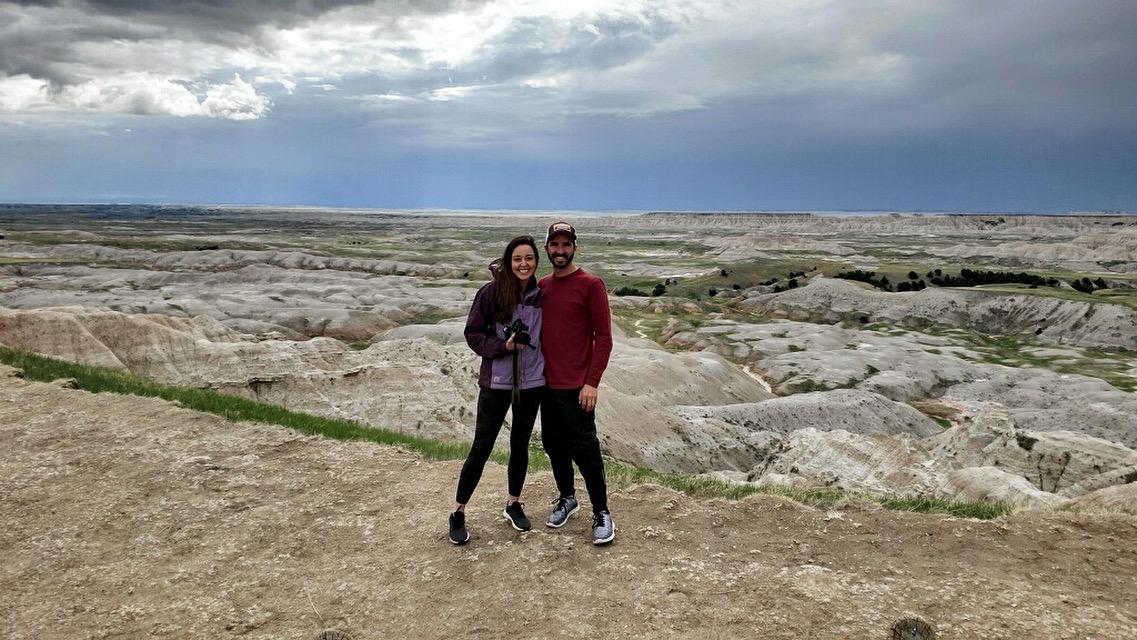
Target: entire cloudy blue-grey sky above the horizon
(597,105)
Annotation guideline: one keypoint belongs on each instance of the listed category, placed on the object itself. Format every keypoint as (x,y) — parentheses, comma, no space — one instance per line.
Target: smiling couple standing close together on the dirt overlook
(544,347)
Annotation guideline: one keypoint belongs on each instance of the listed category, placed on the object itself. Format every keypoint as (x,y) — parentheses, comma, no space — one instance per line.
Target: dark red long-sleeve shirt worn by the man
(577,330)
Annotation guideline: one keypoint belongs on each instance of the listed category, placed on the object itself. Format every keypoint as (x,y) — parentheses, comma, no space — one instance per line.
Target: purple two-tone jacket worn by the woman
(487,338)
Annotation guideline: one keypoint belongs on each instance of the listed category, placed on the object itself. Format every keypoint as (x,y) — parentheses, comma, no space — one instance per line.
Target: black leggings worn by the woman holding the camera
(493,405)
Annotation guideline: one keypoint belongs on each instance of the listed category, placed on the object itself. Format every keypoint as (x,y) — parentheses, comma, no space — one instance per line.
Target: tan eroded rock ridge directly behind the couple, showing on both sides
(416,380)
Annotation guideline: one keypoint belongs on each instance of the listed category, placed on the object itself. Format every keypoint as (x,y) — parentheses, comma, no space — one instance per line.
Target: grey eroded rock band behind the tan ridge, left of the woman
(262,298)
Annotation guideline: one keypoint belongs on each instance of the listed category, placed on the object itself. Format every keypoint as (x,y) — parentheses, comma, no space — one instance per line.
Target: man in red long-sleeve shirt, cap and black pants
(578,330)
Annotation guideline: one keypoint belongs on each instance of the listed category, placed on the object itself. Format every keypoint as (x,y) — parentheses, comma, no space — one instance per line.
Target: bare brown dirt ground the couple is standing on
(129,518)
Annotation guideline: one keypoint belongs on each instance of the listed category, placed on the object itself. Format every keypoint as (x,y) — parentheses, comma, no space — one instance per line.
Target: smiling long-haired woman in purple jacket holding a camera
(504,328)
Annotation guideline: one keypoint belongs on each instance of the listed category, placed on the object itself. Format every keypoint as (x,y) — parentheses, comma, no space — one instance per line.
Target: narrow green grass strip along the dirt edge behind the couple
(101,380)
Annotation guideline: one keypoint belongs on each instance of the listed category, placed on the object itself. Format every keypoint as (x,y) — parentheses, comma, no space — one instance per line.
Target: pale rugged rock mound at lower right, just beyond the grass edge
(986,456)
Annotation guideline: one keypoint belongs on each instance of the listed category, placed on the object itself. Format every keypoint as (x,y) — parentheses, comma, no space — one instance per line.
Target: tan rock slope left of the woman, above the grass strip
(414,387)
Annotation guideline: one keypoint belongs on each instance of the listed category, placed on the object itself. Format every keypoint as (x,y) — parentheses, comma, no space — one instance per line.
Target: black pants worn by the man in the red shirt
(569,435)
